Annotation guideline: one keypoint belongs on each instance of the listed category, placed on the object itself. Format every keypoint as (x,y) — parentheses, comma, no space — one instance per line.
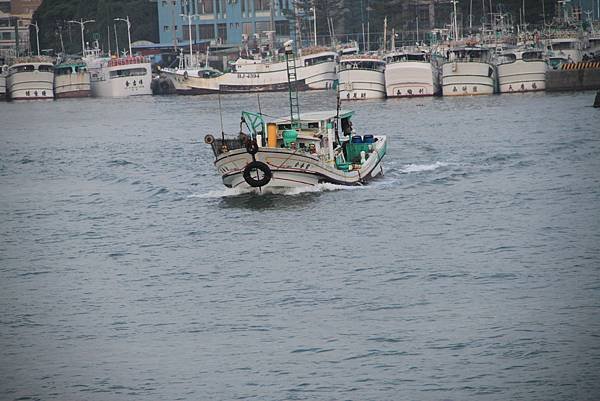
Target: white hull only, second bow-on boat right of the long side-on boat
(409,79)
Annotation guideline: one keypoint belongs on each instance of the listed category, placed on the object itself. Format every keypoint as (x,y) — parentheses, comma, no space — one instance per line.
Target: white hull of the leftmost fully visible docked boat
(34,85)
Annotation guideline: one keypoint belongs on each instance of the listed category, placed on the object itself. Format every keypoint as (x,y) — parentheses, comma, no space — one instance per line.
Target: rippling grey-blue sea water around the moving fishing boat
(471,271)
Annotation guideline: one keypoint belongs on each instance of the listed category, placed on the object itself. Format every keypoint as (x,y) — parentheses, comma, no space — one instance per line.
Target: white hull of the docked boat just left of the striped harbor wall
(522,76)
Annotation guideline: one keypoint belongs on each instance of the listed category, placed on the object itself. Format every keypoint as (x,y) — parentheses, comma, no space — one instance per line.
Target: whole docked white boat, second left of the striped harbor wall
(468,71)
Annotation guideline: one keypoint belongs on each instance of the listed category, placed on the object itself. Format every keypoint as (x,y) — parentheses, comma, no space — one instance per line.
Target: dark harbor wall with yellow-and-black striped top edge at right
(587,77)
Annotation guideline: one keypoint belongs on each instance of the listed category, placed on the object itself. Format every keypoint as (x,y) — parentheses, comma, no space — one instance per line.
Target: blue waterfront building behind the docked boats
(221,21)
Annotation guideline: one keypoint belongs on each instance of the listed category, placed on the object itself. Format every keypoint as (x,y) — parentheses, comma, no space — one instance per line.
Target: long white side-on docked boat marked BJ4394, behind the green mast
(313,71)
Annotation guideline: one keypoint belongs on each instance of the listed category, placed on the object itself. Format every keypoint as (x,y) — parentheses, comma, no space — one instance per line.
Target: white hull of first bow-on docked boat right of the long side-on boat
(361,84)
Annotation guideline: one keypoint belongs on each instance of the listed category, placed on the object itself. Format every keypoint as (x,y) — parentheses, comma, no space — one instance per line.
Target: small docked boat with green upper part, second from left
(72,79)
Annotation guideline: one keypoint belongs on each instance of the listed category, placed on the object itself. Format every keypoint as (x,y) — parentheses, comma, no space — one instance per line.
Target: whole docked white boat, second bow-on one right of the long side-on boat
(408,74)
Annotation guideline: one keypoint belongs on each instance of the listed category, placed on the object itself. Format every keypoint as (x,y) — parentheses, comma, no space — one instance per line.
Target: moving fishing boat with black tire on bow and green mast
(299,150)
